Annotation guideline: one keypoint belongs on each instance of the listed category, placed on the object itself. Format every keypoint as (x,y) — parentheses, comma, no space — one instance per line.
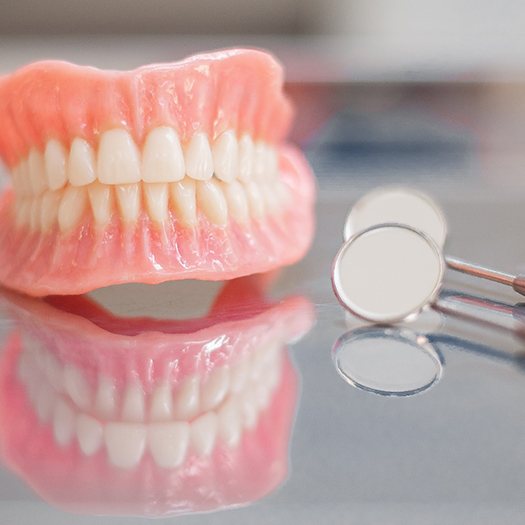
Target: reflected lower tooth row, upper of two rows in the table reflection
(165,401)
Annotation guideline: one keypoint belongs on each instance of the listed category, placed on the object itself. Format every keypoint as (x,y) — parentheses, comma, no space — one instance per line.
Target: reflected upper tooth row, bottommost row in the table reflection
(168,442)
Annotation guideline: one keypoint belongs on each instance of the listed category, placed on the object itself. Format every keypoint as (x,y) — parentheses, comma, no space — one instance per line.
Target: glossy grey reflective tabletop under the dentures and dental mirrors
(253,420)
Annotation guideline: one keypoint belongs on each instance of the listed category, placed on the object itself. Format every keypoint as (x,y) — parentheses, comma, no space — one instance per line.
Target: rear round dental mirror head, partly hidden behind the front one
(397,205)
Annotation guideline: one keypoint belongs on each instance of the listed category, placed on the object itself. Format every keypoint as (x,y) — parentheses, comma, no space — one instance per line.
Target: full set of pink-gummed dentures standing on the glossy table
(166,172)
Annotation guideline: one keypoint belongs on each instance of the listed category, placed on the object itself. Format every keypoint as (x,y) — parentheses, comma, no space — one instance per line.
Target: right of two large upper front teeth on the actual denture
(162,156)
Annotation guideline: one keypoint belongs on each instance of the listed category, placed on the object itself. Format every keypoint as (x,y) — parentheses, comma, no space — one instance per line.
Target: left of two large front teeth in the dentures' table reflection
(125,443)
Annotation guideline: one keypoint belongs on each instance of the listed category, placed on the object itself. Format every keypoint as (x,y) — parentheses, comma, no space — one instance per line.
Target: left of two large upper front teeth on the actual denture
(118,158)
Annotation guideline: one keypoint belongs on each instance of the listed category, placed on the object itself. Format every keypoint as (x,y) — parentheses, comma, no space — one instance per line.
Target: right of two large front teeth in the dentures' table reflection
(168,443)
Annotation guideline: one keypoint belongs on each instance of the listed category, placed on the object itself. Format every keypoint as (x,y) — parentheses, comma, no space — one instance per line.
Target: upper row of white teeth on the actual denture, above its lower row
(162,160)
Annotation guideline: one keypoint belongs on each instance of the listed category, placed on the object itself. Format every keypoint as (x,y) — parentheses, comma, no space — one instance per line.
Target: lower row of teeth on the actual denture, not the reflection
(217,200)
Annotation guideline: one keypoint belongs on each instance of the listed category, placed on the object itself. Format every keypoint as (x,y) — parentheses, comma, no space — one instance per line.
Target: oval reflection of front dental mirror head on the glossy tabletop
(387,361)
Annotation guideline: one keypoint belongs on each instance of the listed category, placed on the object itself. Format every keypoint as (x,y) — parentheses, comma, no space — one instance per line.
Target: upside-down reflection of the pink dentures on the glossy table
(146,416)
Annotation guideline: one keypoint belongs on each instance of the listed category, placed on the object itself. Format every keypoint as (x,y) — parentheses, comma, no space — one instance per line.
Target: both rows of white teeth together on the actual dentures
(232,177)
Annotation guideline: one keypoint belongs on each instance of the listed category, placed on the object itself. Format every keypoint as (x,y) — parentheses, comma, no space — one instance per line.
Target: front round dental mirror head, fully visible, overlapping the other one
(387,273)
